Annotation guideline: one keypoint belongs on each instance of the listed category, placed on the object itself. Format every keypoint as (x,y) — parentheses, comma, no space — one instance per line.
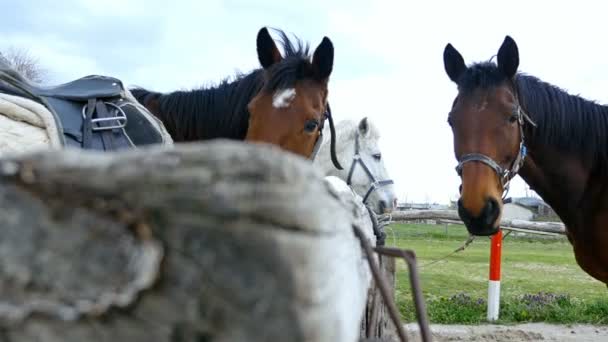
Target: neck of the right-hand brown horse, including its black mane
(564,150)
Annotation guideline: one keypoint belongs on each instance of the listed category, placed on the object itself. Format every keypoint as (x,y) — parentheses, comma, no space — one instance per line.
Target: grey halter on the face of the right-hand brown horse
(505,175)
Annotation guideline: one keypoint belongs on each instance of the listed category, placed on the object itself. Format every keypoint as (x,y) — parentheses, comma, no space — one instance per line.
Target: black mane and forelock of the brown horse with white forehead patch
(221,111)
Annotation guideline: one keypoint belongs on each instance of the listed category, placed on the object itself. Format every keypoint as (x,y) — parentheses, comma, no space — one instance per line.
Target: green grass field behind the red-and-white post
(540,280)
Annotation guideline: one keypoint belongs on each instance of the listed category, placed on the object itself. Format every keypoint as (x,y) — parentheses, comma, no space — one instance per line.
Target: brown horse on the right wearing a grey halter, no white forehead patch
(505,123)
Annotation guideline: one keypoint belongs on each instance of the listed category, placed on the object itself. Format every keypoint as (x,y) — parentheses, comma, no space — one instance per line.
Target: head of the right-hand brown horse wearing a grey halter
(486,121)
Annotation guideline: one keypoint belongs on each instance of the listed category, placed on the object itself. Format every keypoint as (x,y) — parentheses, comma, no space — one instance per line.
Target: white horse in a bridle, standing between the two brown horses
(358,152)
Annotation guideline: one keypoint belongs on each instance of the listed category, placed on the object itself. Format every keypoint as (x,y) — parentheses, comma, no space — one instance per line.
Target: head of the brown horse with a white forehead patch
(291,108)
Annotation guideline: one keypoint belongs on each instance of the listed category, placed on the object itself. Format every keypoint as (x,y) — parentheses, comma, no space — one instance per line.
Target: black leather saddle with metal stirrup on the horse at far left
(93,111)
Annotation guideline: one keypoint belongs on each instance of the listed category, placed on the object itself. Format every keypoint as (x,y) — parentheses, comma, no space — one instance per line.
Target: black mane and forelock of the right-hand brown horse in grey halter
(568,122)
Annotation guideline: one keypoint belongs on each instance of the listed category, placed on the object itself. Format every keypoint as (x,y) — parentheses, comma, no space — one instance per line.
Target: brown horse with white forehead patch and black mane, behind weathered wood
(284,103)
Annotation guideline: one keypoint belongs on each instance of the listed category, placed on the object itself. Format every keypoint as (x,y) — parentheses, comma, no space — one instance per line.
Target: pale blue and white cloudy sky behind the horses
(388,62)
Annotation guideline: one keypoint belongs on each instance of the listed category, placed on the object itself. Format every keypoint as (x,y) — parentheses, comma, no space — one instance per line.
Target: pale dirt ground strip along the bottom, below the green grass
(521,332)
